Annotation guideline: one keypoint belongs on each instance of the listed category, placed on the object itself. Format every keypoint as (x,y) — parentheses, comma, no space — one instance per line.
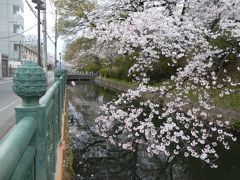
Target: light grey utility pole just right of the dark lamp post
(44,30)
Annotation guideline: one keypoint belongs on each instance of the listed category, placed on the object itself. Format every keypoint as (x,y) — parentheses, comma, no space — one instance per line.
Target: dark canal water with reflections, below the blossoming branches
(95,158)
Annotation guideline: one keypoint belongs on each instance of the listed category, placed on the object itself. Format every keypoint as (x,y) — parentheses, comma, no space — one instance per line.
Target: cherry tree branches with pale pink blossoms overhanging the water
(183,31)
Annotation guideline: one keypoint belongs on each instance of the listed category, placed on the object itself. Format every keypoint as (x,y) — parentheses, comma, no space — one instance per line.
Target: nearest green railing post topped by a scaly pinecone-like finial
(30,84)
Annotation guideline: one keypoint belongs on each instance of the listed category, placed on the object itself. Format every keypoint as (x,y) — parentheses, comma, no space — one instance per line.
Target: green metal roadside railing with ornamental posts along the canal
(29,150)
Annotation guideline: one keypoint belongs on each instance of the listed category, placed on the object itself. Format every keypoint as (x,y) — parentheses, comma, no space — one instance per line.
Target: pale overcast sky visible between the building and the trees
(30,20)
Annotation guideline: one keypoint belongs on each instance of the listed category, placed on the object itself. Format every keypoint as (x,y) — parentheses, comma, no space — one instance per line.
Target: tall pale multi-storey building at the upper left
(12,25)
